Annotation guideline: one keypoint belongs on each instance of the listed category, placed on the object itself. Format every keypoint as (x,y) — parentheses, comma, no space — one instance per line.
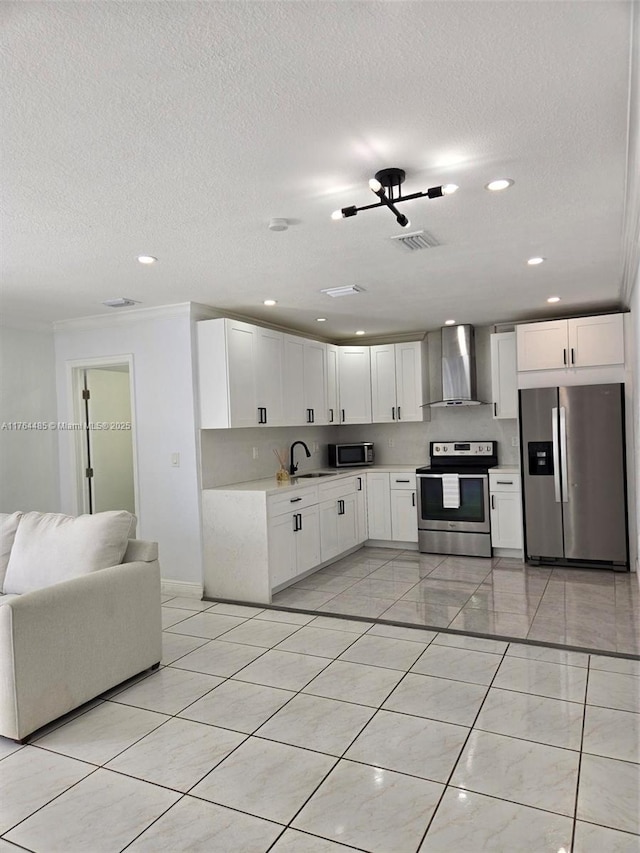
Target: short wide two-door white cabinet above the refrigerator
(574,343)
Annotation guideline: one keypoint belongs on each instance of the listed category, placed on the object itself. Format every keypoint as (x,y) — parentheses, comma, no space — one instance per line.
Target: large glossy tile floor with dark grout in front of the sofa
(268,730)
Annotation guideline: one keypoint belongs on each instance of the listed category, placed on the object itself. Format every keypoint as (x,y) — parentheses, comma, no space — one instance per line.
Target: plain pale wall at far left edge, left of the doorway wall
(28,456)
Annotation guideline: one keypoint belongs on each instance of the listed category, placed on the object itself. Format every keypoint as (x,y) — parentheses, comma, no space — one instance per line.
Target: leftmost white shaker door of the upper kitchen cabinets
(242,355)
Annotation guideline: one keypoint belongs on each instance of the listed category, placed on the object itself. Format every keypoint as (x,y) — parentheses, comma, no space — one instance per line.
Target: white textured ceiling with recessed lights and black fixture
(178,129)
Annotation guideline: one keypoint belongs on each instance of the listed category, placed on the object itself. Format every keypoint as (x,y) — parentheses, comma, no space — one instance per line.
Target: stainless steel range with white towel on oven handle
(453,498)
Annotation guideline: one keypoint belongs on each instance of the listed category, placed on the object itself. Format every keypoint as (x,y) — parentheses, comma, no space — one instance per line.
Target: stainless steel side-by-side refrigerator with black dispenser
(573,475)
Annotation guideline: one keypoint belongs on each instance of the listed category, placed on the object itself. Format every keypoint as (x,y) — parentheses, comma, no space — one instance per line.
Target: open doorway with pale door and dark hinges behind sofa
(105,437)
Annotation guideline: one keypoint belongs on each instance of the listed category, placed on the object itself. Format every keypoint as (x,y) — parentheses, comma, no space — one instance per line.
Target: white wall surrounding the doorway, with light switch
(164,422)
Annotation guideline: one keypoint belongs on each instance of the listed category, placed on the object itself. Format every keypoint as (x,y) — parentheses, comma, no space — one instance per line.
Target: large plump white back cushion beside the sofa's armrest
(50,547)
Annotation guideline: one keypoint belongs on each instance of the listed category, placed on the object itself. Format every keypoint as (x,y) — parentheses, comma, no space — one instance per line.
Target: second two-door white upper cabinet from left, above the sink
(305,381)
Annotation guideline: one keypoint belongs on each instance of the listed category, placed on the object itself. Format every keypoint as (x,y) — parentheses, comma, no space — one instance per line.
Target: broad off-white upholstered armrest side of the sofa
(65,644)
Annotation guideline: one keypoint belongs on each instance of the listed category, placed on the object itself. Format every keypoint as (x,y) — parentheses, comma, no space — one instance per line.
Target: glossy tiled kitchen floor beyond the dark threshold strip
(500,597)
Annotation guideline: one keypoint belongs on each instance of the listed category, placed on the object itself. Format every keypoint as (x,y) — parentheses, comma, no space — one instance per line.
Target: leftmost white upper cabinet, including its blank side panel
(241,374)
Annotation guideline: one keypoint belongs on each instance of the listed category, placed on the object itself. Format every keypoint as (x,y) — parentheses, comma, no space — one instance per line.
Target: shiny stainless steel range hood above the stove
(458,367)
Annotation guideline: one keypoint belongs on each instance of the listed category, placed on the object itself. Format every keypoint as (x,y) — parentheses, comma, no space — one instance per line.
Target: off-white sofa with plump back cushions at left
(79,614)
